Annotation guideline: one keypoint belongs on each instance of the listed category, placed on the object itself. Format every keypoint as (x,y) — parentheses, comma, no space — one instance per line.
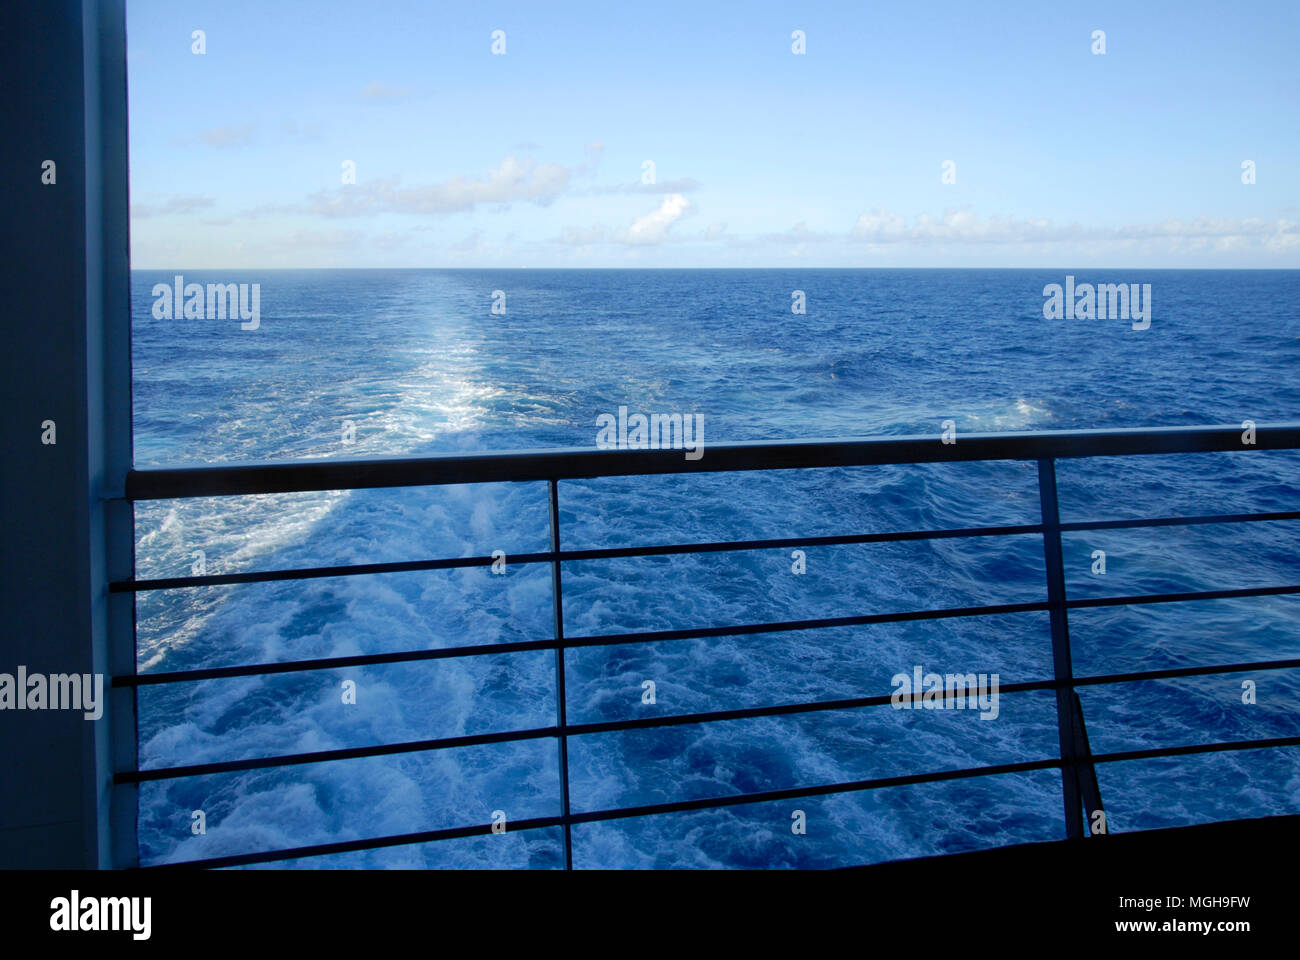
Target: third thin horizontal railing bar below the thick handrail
(657,723)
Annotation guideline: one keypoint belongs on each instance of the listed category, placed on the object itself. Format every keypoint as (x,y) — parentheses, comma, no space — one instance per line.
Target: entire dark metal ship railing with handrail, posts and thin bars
(1076,762)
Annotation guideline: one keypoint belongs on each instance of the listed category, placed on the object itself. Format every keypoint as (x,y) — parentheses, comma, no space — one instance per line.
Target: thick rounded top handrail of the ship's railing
(175,483)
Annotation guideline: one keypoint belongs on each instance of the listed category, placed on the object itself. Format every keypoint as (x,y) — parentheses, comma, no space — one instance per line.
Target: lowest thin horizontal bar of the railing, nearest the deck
(709,803)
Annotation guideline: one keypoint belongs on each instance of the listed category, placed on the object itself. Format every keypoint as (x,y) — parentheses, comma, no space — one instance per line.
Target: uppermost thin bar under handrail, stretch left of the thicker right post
(567,556)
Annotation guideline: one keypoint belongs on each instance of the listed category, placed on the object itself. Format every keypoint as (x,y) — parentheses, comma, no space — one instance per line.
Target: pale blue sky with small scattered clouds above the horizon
(692,135)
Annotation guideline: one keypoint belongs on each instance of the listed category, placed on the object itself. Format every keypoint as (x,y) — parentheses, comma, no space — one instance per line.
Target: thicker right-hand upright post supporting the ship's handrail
(1061,665)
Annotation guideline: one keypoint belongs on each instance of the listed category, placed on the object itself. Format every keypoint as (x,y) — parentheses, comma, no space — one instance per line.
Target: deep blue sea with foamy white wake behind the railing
(419,364)
